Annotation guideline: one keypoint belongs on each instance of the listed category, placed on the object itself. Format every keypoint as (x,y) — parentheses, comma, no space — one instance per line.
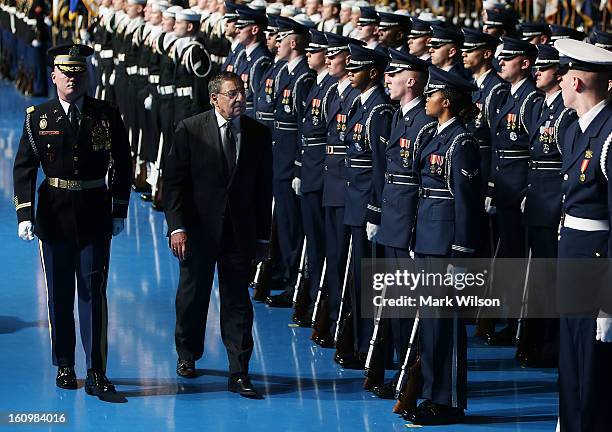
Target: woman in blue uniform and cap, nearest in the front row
(447,163)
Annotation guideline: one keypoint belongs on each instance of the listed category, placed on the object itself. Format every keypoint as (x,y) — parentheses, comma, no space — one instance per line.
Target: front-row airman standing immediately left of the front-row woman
(406,78)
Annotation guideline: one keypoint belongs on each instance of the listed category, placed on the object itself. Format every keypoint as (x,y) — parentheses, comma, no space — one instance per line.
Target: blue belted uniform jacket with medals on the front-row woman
(450,199)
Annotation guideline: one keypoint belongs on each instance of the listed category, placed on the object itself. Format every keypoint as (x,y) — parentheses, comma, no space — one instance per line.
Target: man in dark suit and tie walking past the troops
(218,195)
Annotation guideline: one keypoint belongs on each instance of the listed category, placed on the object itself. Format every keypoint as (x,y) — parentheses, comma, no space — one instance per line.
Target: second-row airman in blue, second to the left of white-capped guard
(510,160)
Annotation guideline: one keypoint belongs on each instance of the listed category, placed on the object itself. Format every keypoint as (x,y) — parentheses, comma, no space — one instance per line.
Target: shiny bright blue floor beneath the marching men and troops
(304,389)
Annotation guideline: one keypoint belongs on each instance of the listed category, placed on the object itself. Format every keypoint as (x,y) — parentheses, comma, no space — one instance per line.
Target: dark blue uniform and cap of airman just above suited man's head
(251,58)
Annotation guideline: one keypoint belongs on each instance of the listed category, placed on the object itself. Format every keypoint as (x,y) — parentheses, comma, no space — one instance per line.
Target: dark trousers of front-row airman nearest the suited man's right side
(289,229)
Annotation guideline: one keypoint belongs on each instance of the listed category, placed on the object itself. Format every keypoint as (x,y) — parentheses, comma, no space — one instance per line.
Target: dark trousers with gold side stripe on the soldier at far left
(61,262)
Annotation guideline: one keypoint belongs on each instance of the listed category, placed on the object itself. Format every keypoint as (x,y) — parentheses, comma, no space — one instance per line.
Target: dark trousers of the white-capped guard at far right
(585,377)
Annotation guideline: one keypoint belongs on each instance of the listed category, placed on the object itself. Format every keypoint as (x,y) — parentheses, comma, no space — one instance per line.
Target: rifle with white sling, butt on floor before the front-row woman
(409,382)
